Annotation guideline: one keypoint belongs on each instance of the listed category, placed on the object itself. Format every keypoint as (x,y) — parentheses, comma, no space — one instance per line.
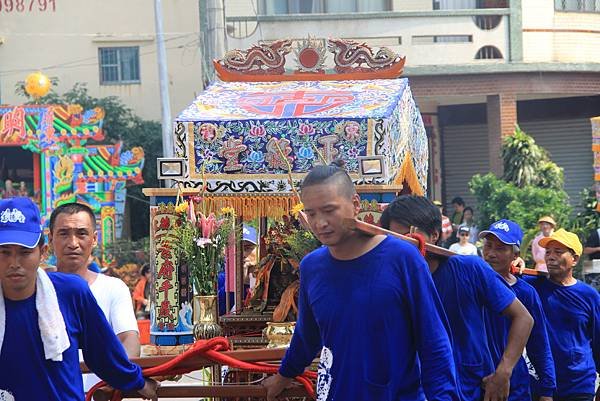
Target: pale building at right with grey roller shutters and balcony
(476,68)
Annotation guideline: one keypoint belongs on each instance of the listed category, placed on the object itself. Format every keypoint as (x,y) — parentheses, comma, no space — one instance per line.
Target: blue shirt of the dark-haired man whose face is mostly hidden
(467,287)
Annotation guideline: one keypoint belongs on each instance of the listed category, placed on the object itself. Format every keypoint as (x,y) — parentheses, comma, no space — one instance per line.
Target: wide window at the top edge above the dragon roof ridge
(273,7)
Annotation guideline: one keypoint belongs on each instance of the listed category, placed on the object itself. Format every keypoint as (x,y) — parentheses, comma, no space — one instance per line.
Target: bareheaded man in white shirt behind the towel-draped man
(73,236)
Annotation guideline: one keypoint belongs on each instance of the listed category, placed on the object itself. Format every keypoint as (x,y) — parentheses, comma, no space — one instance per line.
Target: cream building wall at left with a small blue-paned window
(108,45)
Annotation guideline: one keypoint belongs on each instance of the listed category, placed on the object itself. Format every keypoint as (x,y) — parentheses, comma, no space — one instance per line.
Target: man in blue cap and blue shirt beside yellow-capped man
(501,247)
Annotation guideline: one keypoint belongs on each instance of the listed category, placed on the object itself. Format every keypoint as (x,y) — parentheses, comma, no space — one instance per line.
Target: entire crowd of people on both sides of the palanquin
(387,322)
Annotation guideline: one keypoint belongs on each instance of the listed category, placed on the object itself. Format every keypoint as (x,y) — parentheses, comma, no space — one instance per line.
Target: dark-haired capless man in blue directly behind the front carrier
(468,287)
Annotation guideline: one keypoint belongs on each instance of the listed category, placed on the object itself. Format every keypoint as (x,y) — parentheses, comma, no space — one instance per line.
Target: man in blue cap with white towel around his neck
(26,370)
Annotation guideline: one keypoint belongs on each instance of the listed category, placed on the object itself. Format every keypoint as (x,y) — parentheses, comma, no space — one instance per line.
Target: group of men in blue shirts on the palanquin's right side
(392,325)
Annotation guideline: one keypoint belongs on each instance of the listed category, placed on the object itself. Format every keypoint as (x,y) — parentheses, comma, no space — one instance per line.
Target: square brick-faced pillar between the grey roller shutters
(501,119)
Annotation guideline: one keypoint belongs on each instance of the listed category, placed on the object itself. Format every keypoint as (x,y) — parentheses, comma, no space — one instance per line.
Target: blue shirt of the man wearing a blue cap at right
(537,349)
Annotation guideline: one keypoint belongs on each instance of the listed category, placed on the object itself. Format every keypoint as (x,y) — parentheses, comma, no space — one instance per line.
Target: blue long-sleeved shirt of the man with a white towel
(24,370)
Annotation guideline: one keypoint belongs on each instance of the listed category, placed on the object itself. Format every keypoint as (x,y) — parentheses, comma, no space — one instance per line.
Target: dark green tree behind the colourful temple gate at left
(120,123)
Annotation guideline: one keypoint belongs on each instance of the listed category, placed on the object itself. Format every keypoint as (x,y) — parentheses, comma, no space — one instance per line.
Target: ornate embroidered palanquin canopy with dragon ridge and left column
(249,139)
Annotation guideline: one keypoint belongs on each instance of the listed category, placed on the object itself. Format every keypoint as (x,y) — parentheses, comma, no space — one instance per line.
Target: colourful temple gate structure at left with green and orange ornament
(68,169)
